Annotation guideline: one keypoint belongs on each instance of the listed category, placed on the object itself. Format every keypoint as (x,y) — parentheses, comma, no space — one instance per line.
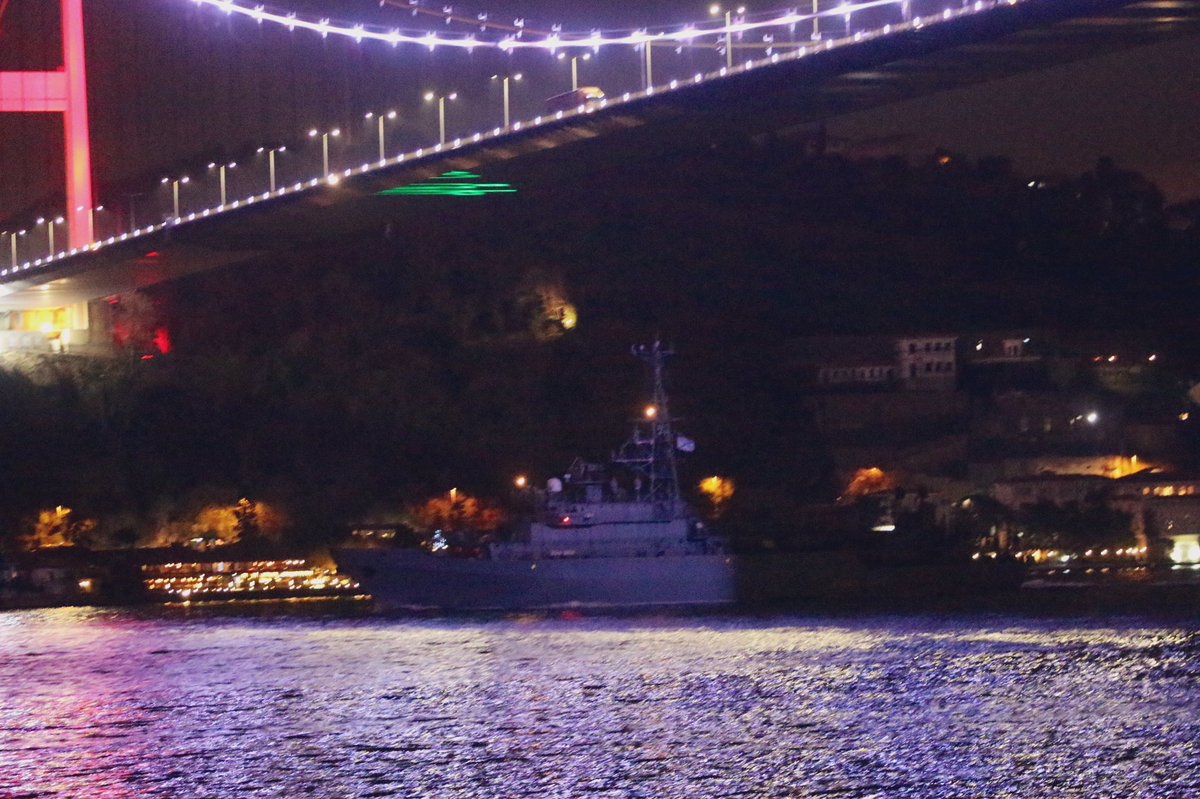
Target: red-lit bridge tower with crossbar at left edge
(63,91)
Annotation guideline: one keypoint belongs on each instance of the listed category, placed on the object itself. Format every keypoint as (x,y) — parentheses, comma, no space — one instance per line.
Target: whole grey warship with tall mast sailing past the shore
(622,537)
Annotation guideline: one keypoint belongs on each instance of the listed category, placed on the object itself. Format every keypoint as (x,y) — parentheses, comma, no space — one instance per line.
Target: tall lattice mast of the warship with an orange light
(651,450)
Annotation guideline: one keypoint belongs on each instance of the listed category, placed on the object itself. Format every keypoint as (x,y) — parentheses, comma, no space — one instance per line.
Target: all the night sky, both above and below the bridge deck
(172,82)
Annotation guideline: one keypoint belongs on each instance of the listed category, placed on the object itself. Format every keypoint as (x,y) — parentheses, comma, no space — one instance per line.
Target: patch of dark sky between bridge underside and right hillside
(1141,106)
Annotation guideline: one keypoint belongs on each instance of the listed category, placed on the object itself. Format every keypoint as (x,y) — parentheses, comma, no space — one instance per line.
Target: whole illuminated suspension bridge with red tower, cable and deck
(759,73)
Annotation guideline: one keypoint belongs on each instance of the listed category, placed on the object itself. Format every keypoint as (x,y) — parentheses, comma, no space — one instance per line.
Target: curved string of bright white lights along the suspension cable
(553,41)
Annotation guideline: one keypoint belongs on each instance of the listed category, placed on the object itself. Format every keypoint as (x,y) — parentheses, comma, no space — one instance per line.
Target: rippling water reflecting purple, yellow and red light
(103,704)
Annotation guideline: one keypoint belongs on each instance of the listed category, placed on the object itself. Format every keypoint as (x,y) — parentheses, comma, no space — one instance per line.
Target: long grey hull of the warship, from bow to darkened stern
(413,579)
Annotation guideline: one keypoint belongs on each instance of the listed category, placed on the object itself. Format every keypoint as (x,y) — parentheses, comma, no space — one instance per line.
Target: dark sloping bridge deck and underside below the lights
(1030,37)
